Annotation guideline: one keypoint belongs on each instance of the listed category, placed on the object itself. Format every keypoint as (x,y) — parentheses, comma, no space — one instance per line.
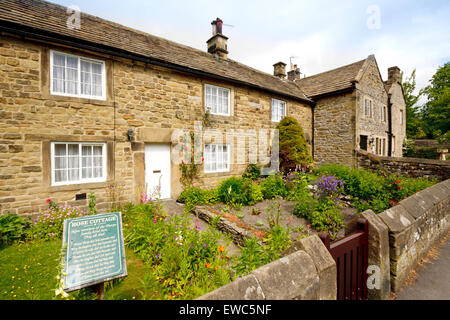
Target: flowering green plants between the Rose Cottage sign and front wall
(186,262)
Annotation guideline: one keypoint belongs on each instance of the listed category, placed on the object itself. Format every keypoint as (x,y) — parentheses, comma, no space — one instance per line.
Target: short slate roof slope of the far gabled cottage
(331,81)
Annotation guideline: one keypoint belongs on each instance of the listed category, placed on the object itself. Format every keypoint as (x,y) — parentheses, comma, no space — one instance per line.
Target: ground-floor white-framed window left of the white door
(75,162)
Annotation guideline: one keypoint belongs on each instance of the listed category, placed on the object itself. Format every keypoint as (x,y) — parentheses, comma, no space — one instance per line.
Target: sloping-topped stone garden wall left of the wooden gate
(309,273)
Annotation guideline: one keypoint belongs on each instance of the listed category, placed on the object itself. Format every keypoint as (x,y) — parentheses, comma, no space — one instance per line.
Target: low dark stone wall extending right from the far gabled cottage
(413,167)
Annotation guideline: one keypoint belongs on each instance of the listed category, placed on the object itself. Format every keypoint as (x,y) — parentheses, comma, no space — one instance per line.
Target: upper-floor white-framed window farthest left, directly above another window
(77,76)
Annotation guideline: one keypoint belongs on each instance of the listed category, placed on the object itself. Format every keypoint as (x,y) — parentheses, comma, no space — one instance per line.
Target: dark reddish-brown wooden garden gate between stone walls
(351,256)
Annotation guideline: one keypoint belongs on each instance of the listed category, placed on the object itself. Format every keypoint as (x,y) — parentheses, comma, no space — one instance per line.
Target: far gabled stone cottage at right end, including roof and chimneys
(354,110)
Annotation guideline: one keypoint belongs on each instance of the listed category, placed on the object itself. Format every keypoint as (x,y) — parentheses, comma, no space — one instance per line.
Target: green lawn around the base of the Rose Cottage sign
(28,272)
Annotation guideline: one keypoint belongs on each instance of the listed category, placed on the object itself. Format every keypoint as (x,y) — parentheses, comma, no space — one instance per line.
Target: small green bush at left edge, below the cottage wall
(12,228)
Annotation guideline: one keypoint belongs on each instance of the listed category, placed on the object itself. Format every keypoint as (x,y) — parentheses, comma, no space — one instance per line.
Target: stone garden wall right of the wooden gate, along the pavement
(415,224)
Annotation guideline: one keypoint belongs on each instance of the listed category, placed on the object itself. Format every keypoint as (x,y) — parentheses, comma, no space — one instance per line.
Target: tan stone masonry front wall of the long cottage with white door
(150,100)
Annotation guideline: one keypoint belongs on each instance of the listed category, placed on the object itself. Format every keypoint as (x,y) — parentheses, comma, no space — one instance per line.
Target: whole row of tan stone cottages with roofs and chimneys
(85,108)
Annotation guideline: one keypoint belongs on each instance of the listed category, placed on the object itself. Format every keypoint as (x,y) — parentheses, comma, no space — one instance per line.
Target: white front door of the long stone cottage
(157,170)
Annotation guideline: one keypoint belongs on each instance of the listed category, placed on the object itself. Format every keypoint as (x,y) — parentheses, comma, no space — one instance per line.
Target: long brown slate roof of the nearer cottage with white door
(51,19)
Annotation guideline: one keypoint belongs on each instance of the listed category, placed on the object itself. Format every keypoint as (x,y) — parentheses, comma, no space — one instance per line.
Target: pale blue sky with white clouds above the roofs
(316,35)
